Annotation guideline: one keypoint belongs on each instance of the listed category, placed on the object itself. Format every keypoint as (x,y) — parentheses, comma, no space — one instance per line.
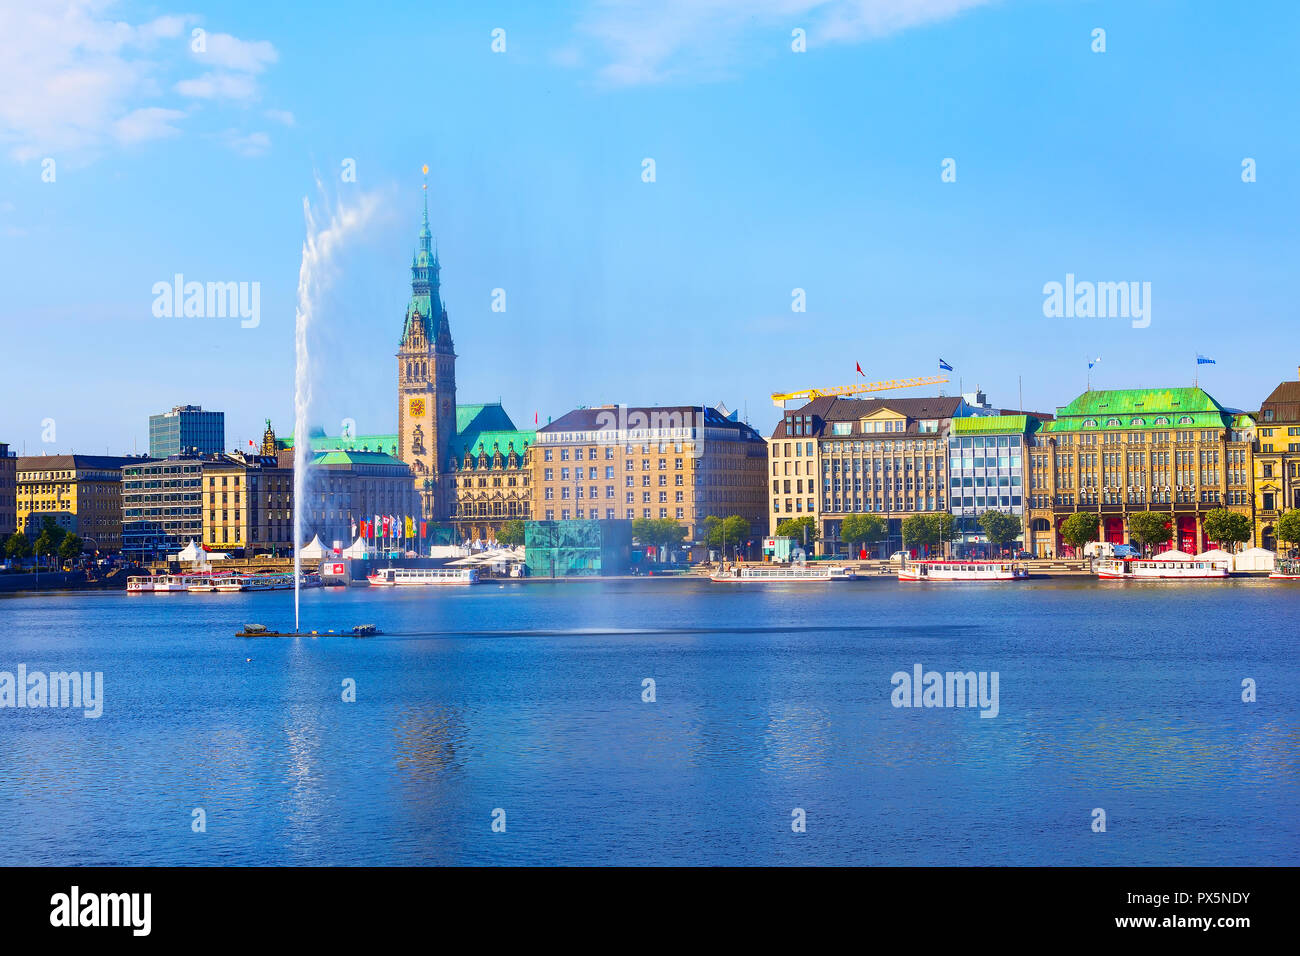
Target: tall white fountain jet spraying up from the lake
(319,250)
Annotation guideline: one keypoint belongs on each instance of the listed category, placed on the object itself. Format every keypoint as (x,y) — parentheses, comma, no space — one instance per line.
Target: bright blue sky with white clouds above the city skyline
(774,171)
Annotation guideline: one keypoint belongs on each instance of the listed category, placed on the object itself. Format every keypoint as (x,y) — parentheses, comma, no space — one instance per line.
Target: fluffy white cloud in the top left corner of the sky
(77,80)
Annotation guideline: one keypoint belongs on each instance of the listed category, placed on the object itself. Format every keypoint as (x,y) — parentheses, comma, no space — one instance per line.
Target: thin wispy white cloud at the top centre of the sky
(656,41)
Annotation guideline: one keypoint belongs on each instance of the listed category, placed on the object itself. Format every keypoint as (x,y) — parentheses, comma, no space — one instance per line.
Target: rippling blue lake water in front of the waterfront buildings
(769,699)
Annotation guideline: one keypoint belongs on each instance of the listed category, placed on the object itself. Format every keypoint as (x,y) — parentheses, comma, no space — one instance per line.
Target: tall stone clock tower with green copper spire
(427,386)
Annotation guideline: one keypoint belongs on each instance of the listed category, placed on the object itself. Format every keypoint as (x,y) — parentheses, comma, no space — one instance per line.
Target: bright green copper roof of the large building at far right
(1137,409)
